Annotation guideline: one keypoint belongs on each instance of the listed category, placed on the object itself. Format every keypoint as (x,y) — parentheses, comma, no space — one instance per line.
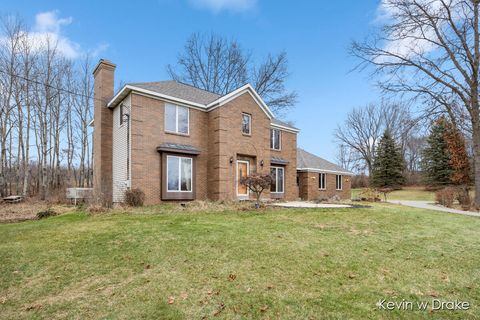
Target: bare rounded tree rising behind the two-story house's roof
(219,65)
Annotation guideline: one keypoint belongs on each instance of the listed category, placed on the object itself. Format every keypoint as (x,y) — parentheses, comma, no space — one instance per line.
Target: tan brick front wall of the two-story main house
(218,136)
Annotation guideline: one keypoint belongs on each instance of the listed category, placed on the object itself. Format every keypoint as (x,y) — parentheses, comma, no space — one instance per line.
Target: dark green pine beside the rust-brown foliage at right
(436,162)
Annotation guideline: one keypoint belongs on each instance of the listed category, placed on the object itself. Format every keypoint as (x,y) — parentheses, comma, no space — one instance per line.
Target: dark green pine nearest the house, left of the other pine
(388,165)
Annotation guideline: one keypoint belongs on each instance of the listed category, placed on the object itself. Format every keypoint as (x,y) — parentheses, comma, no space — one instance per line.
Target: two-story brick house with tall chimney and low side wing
(178,142)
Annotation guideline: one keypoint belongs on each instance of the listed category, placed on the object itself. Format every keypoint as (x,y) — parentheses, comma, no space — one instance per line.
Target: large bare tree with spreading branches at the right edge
(430,49)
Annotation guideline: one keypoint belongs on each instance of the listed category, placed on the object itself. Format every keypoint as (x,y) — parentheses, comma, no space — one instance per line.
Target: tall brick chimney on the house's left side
(102,135)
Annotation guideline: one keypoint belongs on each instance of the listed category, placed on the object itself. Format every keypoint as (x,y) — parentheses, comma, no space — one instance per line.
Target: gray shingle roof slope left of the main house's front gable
(179,90)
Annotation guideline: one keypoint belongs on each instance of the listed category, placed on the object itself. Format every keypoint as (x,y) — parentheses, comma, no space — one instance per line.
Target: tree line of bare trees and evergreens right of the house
(391,147)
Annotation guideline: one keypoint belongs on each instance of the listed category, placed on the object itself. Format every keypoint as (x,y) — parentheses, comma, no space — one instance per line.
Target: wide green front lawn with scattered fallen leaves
(277,264)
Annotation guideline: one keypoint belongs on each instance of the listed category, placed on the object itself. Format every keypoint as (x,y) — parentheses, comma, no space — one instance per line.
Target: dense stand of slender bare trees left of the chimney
(45,110)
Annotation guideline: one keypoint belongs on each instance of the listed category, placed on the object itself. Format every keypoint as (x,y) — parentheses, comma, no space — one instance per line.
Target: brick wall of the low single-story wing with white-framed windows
(309,187)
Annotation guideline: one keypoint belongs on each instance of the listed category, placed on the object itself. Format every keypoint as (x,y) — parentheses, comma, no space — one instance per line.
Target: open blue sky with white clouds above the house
(142,37)
